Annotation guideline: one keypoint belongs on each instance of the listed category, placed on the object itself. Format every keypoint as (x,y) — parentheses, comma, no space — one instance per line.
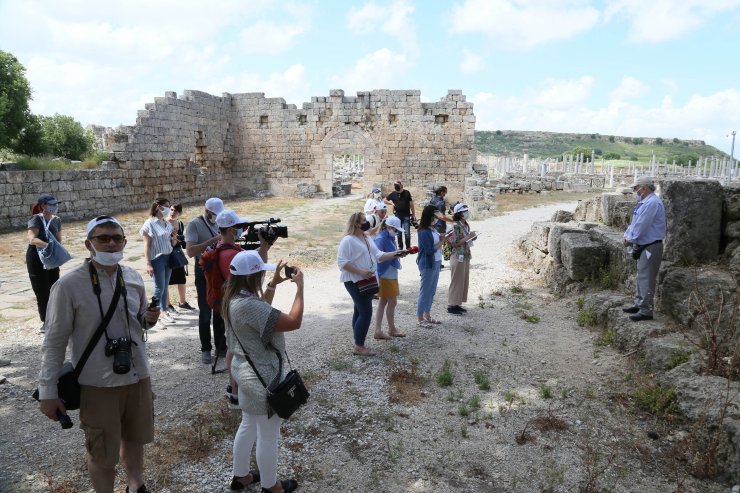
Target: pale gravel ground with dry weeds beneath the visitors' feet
(383,424)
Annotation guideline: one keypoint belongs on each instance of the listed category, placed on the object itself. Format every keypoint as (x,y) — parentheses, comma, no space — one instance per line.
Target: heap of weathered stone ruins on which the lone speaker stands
(696,298)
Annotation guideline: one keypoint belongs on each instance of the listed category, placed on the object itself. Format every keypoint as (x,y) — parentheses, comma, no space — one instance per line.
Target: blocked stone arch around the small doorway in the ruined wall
(349,139)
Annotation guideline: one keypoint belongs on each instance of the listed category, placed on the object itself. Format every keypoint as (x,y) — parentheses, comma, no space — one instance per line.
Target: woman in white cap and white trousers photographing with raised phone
(255,328)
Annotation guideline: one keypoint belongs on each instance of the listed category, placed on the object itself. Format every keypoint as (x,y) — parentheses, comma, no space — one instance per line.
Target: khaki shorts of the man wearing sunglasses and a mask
(109,414)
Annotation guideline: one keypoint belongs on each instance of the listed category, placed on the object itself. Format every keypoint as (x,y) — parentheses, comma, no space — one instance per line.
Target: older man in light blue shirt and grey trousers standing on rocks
(645,233)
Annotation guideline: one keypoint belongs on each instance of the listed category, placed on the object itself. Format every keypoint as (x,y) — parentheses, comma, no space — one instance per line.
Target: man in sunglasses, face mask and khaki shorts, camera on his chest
(116,410)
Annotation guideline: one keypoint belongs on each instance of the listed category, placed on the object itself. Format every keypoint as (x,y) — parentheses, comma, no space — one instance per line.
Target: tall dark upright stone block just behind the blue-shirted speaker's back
(693,220)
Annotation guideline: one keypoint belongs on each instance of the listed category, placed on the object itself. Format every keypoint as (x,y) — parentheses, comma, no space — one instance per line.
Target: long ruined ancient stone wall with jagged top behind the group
(197,145)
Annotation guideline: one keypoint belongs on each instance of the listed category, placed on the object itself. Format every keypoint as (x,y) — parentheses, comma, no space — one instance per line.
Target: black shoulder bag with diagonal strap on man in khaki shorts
(68,385)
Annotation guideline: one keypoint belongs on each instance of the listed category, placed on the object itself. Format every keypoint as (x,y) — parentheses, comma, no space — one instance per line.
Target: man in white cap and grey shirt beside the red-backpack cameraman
(201,233)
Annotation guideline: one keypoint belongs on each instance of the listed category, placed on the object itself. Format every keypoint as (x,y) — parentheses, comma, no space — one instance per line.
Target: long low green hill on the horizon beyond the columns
(553,145)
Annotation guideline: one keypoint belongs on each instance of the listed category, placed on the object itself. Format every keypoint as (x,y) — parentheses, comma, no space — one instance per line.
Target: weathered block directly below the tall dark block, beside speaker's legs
(682,291)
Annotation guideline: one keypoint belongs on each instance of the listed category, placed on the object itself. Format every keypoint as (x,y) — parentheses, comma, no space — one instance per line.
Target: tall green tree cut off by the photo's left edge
(15,92)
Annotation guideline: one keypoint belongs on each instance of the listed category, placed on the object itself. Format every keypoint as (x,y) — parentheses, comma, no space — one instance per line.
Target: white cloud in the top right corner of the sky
(662,20)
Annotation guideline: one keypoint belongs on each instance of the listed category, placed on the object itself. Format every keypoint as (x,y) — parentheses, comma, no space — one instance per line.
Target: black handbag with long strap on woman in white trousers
(286,396)
